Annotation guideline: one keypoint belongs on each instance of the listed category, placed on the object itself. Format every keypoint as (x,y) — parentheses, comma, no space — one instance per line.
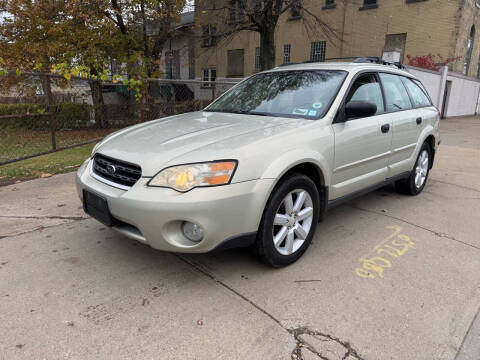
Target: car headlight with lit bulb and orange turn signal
(186,177)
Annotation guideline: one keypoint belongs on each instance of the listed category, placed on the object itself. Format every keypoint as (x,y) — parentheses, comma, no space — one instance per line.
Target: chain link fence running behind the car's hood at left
(43,113)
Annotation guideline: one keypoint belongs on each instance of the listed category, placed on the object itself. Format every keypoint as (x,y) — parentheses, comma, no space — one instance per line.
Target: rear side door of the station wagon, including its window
(404,116)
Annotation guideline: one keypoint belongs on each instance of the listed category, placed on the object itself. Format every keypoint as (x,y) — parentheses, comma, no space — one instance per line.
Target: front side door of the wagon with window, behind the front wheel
(362,145)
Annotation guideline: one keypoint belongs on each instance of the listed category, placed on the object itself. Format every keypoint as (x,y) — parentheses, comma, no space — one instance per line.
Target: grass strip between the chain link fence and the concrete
(46,165)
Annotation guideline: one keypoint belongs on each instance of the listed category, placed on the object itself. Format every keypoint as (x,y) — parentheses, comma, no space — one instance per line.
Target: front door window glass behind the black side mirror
(367,88)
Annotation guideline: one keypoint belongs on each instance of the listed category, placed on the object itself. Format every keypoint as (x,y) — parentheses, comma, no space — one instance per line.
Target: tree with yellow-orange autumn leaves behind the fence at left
(86,36)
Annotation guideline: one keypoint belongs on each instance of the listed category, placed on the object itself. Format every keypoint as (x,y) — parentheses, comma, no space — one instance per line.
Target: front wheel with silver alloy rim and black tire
(287,229)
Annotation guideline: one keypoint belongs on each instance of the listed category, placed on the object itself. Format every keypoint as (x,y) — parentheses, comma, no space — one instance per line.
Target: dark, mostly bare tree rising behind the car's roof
(261,16)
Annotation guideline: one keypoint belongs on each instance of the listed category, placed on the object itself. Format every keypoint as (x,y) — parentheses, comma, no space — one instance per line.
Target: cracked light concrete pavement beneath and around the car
(70,288)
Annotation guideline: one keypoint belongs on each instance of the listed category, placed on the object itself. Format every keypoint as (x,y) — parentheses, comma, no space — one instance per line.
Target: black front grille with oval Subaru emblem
(116,171)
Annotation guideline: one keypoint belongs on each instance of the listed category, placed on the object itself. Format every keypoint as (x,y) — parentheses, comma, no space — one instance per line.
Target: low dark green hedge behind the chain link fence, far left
(67,116)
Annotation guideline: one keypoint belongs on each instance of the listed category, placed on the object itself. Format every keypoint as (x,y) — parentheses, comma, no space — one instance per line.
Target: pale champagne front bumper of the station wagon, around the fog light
(154,215)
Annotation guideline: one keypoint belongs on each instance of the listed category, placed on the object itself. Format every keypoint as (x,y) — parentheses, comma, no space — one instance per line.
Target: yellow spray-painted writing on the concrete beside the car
(380,257)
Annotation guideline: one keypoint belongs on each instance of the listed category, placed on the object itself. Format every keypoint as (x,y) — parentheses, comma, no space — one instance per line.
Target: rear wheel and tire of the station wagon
(415,183)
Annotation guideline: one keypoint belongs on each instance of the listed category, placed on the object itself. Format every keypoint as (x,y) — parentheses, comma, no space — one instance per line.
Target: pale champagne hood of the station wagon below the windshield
(155,144)
